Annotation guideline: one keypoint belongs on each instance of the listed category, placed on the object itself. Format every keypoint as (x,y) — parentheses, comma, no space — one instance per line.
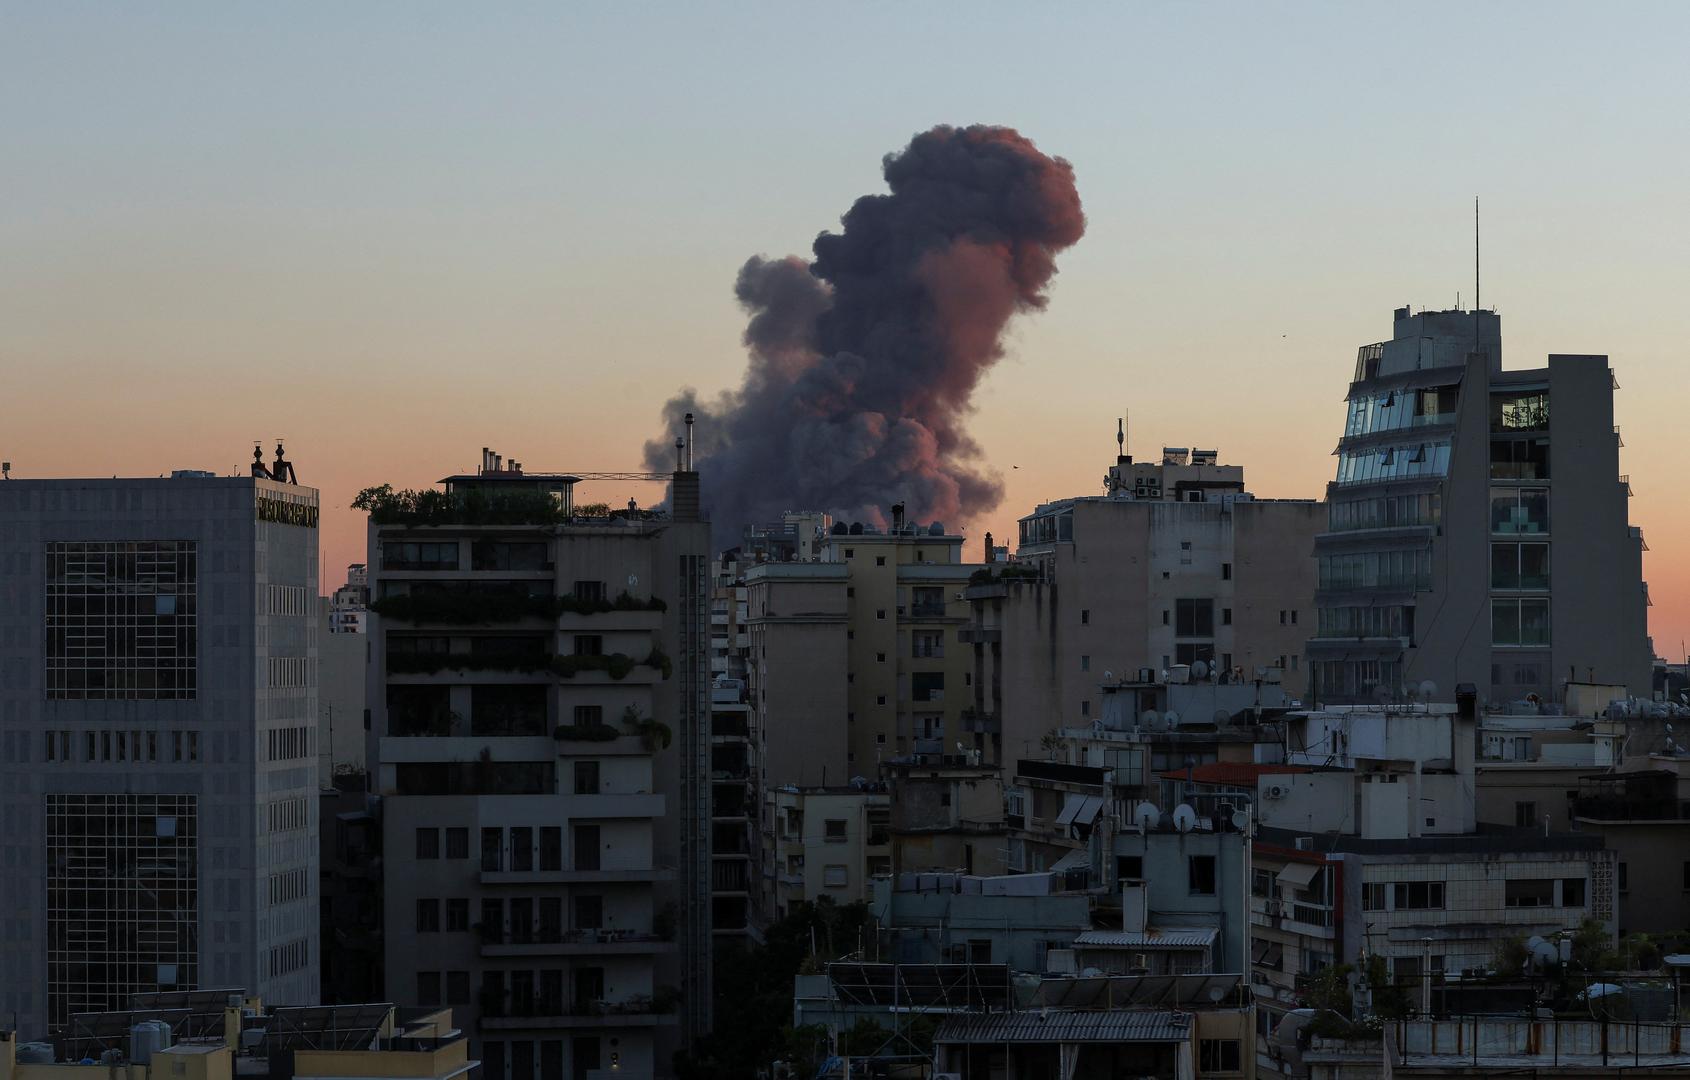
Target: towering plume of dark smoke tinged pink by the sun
(864,363)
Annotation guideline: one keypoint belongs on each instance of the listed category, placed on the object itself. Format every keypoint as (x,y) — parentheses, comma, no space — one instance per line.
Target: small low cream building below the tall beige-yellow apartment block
(827,843)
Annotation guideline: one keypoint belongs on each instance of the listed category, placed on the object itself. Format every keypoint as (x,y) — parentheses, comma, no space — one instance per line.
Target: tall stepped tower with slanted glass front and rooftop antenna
(1478,525)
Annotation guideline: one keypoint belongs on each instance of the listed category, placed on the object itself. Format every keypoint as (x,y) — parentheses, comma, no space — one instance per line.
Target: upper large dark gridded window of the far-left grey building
(123,619)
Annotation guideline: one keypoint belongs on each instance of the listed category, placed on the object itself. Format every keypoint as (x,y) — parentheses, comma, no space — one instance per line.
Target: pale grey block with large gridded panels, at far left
(160,712)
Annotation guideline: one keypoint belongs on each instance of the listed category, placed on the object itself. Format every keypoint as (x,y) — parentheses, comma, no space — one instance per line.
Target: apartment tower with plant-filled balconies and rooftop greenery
(540,704)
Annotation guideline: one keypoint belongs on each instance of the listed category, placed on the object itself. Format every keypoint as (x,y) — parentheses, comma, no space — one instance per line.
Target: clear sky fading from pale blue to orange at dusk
(400,232)
